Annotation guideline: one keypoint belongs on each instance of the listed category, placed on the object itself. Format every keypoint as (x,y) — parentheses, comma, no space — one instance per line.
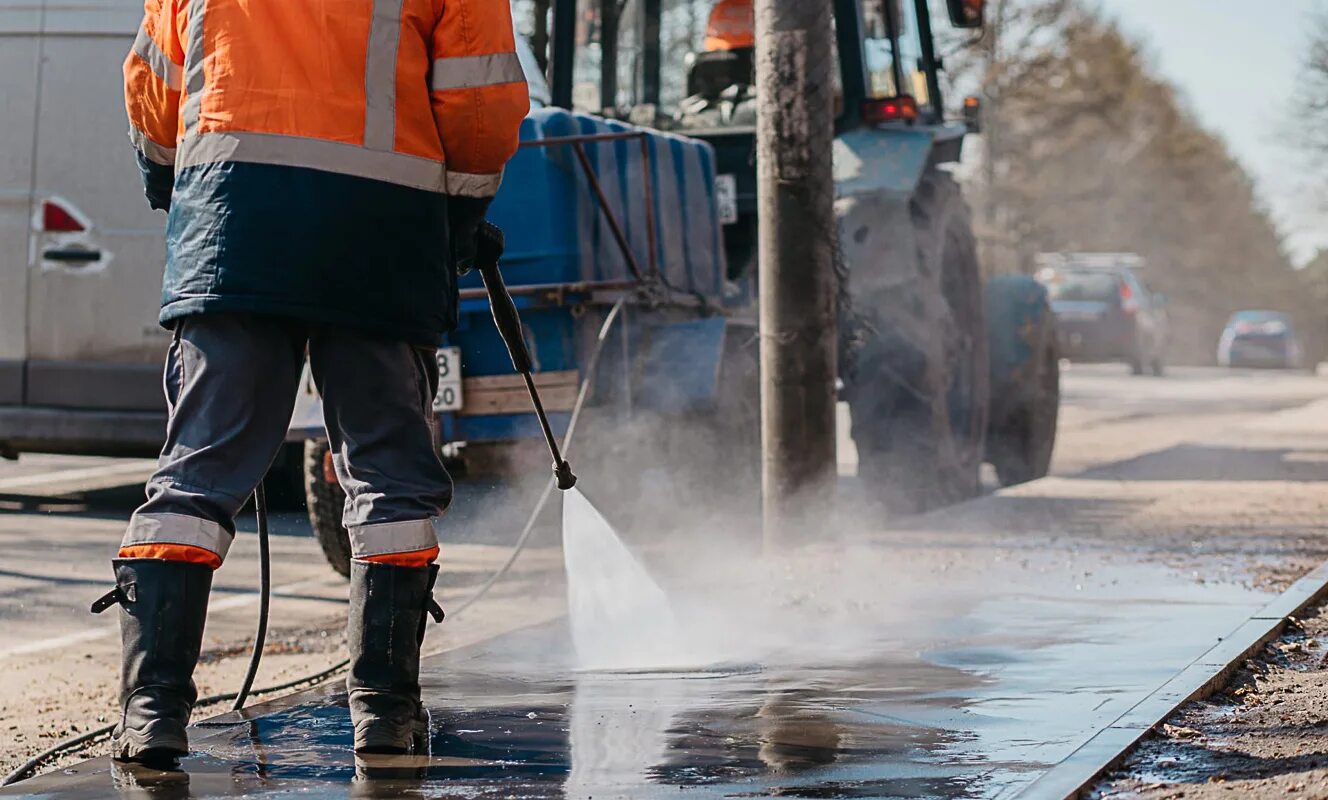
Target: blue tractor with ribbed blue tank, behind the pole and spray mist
(631,253)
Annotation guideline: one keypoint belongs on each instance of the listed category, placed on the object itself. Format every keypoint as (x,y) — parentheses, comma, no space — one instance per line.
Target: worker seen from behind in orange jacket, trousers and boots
(325,167)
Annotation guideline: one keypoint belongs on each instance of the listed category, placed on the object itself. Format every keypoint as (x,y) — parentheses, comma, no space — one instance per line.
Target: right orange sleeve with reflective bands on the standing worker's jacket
(479,94)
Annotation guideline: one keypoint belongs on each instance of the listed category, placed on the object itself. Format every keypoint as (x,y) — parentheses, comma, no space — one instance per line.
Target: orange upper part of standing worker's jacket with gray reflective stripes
(424,94)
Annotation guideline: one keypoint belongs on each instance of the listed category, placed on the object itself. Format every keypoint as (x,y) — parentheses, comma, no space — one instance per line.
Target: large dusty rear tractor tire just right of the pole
(918,386)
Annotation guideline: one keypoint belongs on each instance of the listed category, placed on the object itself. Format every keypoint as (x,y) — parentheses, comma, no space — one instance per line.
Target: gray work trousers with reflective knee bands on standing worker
(230,389)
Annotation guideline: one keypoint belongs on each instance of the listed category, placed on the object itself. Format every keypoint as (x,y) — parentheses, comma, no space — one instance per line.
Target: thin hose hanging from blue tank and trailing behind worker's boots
(266,583)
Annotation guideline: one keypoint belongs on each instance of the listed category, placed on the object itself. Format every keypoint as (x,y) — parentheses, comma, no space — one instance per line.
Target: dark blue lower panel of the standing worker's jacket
(310,245)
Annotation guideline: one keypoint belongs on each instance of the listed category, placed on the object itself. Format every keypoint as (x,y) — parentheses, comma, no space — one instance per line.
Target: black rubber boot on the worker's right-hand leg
(390,607)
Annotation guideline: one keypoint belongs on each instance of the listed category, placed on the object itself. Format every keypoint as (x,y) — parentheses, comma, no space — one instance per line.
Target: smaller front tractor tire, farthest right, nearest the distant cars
(1026,383)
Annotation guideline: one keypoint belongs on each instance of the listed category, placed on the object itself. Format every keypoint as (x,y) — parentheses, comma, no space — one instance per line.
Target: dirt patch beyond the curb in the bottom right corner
(1264,736)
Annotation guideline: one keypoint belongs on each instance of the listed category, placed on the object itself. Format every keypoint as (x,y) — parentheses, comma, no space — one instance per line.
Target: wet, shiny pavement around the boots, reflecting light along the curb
(971,693)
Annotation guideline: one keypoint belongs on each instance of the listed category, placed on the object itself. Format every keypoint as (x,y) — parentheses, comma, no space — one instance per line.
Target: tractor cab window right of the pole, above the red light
(893,50)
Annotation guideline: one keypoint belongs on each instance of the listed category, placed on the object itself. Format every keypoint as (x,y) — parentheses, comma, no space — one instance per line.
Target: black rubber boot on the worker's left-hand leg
(163,609)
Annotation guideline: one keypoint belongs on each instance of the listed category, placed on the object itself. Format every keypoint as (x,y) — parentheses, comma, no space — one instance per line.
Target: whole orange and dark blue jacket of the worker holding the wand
(314,153)
